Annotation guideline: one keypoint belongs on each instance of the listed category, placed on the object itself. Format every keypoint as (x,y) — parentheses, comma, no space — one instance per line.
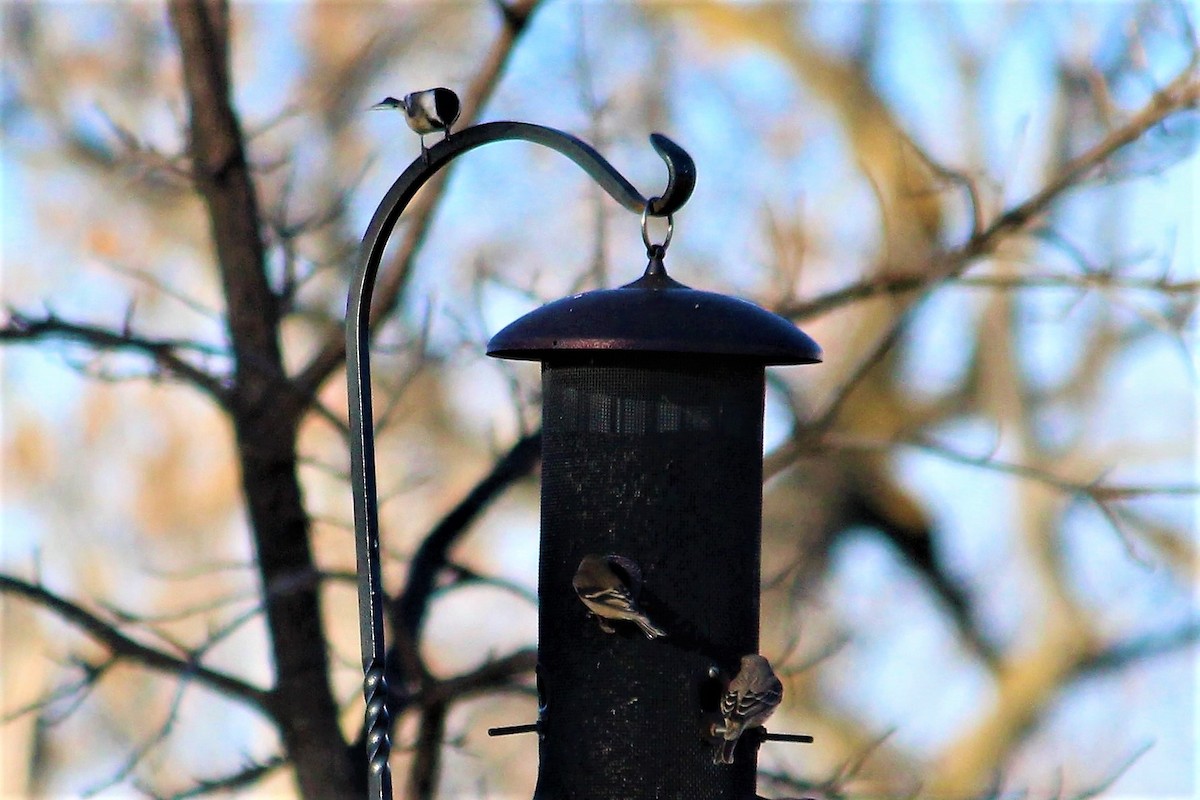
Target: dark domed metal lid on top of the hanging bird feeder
(655,315)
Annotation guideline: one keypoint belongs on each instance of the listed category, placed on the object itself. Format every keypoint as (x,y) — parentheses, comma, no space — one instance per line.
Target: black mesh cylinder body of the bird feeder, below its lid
(658,460)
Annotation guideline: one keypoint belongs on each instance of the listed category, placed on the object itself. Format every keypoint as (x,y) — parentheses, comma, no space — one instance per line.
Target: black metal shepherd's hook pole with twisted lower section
(681,183)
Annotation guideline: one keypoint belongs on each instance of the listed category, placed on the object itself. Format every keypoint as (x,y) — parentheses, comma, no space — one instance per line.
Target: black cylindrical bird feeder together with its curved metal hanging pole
(652,450)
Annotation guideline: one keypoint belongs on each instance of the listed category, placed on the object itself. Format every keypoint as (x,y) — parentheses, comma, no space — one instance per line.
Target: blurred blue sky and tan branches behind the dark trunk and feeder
(980,540)
